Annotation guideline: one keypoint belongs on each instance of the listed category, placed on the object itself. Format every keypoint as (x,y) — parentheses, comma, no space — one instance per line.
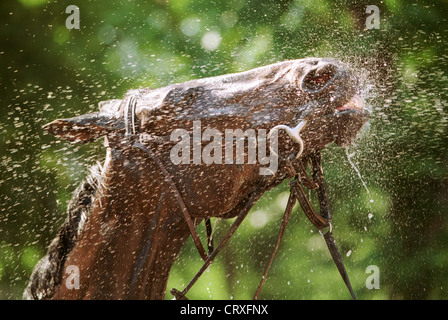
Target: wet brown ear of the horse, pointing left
(84,128)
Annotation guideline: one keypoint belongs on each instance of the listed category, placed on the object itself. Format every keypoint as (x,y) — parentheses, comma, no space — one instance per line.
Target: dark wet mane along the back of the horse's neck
(47,274)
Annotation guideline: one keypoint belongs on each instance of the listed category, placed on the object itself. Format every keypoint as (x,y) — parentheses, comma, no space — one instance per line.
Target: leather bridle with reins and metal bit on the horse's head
(296,169)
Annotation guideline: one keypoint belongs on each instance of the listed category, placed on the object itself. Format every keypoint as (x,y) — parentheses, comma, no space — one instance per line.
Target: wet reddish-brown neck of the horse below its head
(131,238)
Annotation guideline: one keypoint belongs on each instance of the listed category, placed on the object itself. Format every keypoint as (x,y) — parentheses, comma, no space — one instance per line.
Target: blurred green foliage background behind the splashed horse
(49,72)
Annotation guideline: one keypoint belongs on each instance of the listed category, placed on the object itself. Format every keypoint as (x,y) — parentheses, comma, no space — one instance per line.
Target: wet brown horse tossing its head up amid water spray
(128,221)
